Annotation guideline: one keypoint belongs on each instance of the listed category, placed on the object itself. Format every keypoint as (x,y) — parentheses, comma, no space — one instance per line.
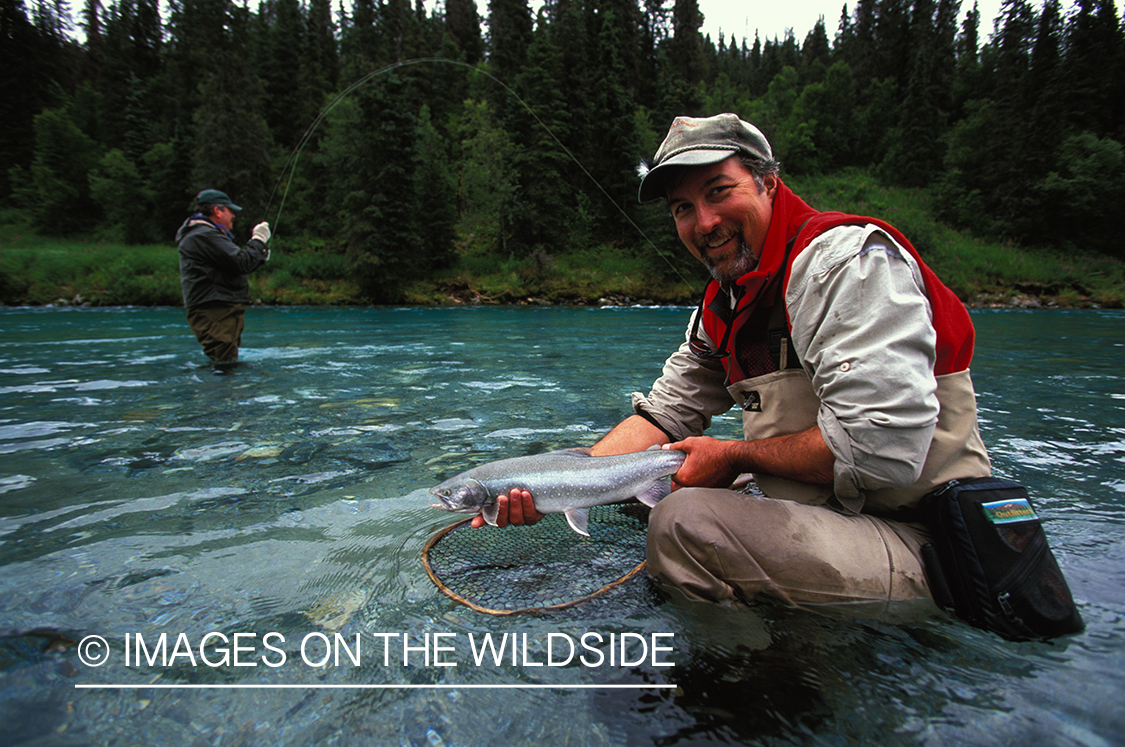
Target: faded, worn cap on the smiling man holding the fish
(697,142)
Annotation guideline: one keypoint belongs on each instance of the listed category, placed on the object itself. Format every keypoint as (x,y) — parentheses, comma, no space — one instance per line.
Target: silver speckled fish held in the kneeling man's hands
(568,482)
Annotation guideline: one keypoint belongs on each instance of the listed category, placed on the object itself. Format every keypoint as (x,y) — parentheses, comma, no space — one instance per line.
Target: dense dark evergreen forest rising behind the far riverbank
(404,140)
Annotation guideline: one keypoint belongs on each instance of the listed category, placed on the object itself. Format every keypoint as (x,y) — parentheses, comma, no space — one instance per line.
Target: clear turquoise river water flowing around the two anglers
(142,496)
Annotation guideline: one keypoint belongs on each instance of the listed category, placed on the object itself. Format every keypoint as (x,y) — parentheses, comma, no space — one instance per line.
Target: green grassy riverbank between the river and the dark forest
(37,271)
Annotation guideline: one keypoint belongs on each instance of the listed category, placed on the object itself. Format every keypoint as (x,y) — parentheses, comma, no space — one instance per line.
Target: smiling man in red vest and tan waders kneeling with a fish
(850,361)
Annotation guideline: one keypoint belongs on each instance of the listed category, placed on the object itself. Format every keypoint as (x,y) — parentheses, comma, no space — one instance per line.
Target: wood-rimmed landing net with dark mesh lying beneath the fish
(546,566)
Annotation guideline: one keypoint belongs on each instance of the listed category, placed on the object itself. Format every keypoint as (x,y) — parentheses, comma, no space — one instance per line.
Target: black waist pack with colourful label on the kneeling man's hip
(991,564)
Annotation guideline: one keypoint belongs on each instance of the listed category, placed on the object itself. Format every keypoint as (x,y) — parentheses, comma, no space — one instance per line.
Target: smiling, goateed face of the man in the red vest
(723,218)
